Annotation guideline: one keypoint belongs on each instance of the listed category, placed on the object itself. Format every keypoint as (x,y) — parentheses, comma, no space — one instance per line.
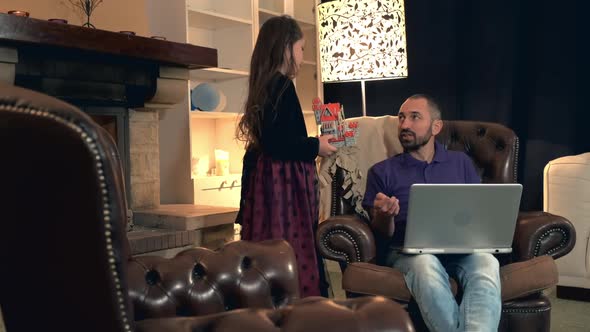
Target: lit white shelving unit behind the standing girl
(231,27)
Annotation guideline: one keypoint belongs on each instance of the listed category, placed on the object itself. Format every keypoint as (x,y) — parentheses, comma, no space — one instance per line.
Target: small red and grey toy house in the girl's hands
(330,117)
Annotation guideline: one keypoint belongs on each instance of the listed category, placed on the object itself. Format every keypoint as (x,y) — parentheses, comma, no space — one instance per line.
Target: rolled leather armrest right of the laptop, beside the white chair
(541,233)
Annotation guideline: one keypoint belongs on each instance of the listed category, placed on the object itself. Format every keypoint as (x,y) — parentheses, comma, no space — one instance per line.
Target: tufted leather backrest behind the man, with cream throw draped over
(492,147)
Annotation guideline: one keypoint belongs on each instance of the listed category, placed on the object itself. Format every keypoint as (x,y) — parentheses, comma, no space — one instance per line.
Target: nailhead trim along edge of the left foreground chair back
(105,197)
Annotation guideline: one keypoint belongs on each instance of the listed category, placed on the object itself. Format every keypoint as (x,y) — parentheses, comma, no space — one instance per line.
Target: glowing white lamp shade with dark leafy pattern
(362,40)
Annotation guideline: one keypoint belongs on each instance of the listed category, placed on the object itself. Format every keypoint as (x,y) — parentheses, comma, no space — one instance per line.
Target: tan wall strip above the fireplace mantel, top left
(112,15)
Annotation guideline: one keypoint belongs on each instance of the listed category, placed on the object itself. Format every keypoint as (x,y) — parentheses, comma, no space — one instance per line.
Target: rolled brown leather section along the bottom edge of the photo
(309,314)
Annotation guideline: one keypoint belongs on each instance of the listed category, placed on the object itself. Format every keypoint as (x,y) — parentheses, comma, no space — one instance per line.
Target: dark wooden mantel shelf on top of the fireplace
(16,30)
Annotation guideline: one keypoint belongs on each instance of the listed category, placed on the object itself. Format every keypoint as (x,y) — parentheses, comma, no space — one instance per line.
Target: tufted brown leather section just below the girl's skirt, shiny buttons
(200,281)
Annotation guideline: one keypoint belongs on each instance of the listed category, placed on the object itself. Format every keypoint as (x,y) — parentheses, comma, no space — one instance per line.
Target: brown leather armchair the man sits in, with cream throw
(344,237)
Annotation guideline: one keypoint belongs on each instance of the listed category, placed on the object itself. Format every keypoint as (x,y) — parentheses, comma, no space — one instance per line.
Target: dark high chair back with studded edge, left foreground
(62,240)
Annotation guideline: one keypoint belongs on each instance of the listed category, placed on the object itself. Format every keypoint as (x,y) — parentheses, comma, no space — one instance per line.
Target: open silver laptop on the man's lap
(461,218)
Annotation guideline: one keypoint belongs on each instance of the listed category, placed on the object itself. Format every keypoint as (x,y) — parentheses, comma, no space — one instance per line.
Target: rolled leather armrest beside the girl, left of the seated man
(346,239)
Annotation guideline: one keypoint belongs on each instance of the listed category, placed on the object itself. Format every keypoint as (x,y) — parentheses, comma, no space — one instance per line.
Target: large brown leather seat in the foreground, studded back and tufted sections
(65,259)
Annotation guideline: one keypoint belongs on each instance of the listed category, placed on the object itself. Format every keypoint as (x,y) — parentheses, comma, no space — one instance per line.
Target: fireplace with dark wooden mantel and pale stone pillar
(121,81)
